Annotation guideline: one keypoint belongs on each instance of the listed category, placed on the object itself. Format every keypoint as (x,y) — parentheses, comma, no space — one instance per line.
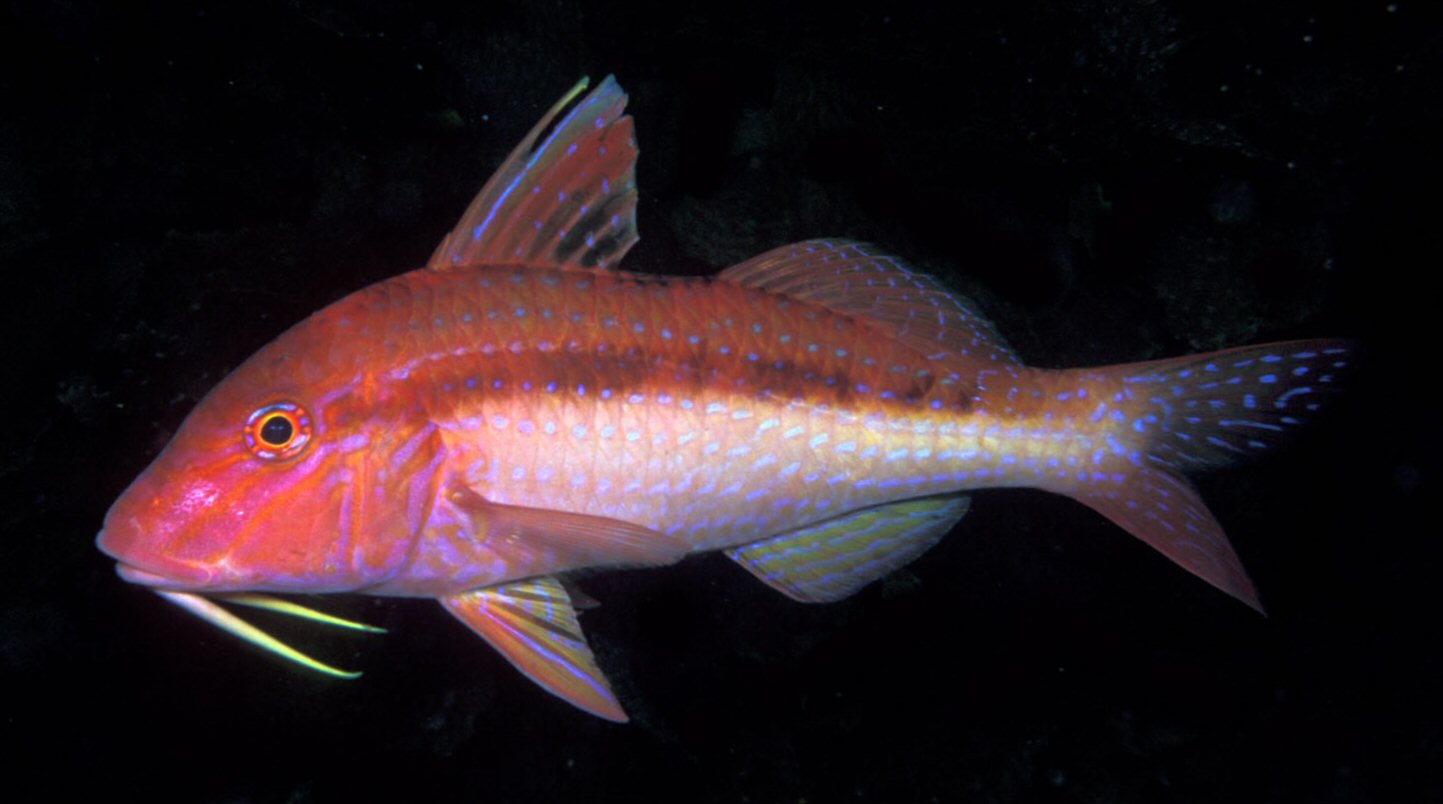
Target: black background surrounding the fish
(1110,181)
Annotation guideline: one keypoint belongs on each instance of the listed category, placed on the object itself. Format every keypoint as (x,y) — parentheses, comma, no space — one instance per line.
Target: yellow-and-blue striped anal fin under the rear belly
(830,561)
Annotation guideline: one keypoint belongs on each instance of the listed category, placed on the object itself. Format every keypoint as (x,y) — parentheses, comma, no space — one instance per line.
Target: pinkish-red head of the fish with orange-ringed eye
(269,486)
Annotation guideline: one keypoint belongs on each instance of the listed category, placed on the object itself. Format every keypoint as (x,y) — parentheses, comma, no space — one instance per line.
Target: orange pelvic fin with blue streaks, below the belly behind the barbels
(533,624)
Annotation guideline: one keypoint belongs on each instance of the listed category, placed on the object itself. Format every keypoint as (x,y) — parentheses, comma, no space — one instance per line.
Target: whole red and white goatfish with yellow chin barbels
(522,411)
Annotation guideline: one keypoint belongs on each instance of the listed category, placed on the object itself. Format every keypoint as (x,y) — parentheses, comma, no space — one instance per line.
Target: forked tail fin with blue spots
(1204,412)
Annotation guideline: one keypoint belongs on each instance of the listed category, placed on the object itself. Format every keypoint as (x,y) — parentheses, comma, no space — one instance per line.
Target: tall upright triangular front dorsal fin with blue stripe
(565,197)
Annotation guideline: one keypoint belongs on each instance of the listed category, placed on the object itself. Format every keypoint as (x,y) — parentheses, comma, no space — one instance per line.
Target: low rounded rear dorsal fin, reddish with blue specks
(854,279)
